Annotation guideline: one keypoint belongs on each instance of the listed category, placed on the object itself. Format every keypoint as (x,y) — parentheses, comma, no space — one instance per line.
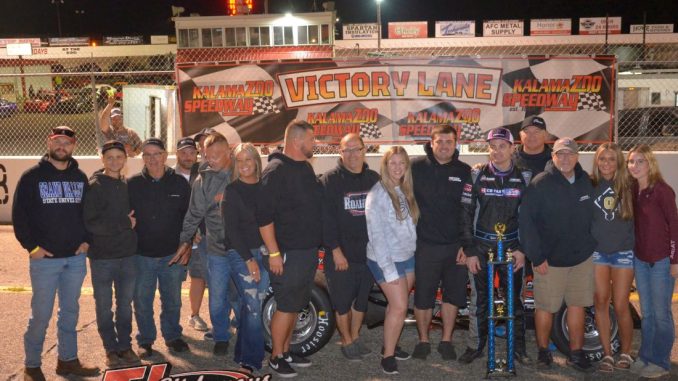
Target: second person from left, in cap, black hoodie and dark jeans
(110,223)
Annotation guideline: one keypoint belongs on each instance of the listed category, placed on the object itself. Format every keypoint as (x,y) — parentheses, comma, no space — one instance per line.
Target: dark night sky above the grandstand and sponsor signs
(95,18)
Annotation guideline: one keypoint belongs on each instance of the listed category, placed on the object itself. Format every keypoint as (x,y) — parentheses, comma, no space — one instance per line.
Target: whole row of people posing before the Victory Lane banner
(239,227)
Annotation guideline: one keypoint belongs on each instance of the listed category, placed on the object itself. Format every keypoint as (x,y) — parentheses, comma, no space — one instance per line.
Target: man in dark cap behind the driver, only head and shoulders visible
(533,153)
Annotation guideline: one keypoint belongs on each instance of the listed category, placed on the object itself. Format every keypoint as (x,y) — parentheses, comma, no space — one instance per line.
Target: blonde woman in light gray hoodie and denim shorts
(392,213)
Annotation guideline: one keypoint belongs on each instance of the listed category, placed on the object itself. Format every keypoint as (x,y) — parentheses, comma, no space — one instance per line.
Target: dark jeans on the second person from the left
(115,332)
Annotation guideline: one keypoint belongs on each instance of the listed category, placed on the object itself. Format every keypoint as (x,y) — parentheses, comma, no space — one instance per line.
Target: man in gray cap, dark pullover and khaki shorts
(555,232)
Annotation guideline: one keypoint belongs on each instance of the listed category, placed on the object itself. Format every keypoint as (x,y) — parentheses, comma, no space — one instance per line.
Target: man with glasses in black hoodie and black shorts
(345,239)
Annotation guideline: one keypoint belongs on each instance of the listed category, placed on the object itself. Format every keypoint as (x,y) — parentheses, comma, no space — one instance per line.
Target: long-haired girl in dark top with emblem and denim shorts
(612,227)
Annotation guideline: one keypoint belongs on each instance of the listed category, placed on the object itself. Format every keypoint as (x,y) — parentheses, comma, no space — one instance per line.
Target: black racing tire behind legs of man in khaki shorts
(592,347)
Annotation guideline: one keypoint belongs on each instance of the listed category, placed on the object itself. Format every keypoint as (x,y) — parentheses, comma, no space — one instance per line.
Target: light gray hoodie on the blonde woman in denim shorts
(390,240)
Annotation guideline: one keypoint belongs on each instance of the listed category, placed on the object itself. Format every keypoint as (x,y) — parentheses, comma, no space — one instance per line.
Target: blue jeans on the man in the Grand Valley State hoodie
(49,277)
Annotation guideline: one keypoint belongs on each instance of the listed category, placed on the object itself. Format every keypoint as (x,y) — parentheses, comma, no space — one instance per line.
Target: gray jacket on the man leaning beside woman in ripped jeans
(206,194)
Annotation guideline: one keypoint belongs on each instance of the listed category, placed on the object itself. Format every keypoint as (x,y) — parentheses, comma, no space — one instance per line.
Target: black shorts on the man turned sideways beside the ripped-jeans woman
(292,289)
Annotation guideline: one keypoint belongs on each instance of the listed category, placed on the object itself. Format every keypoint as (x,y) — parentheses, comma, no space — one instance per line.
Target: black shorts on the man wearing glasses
(348,288)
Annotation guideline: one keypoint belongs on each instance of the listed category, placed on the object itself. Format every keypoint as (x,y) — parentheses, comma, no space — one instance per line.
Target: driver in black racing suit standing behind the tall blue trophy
(495,189)
